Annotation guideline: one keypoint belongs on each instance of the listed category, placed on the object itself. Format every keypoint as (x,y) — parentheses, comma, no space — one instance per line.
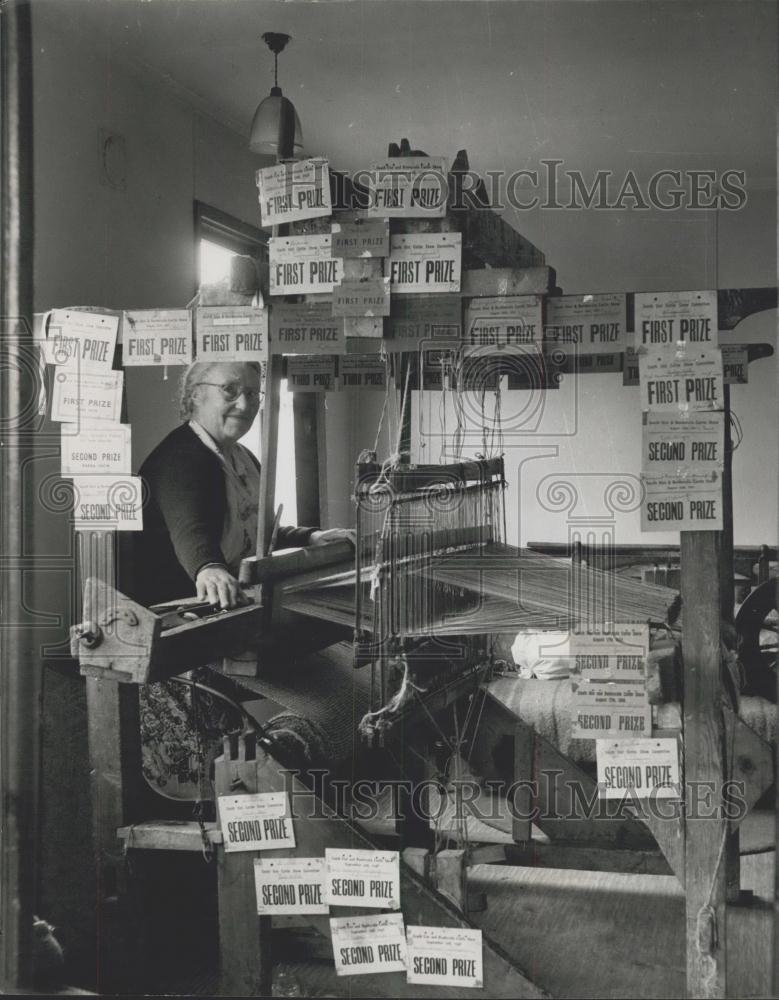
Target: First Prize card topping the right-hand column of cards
(667,317)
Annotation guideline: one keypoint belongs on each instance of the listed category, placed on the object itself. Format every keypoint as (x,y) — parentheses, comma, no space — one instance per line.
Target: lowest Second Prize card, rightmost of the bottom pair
(445,956)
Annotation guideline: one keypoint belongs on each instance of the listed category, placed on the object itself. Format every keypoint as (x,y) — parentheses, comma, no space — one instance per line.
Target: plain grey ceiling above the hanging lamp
(601,85)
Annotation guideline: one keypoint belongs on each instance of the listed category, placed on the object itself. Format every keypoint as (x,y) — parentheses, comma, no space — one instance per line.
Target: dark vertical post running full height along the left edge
(20,646)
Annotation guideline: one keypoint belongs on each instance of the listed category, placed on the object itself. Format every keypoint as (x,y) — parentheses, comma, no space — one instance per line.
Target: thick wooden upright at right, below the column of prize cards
(704,767)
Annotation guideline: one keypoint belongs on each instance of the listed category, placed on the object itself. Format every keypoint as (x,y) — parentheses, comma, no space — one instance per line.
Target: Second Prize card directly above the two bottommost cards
(363,878)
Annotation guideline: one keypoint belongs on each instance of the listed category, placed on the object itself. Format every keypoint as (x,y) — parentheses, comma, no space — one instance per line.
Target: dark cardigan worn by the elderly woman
(183,518)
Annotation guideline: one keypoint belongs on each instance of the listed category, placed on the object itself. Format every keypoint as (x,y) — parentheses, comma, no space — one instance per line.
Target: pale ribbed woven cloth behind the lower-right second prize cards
(547,706)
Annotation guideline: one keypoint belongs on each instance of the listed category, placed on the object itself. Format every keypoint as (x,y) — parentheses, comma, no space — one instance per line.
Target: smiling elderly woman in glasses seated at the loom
(203,486)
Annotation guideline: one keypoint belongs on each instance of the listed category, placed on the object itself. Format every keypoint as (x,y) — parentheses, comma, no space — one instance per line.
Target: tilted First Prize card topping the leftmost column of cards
(85,340)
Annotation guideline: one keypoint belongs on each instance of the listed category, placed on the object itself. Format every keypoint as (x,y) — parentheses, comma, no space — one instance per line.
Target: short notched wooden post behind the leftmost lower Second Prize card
(245,961)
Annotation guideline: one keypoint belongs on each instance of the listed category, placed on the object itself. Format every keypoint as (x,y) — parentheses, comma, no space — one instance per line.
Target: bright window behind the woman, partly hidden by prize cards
(220,237)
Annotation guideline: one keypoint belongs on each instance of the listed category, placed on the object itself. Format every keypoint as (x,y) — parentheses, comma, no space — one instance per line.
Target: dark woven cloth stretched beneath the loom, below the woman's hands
(324,688)
